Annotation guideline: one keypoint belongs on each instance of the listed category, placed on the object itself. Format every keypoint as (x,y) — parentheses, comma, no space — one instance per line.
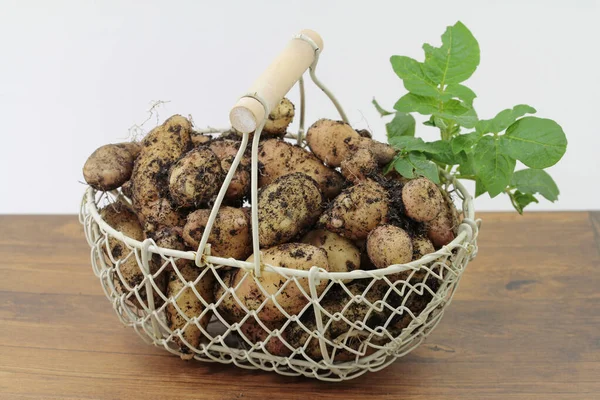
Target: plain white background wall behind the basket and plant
(76,75)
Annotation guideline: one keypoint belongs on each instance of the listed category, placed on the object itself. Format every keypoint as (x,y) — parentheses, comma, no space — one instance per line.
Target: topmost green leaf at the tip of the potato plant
(457,58)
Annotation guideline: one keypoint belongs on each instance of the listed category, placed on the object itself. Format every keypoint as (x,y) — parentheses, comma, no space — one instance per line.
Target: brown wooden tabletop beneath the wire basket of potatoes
(525,324)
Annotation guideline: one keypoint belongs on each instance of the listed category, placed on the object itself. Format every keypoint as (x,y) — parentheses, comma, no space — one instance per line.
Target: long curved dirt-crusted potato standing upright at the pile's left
(161,148)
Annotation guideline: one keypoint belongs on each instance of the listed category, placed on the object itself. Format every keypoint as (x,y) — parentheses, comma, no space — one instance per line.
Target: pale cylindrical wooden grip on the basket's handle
(275,82)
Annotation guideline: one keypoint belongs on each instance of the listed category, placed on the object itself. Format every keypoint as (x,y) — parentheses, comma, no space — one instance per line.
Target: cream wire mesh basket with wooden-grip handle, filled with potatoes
(351,323)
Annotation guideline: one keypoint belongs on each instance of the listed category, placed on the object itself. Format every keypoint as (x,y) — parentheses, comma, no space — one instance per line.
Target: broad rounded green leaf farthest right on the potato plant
(536,142)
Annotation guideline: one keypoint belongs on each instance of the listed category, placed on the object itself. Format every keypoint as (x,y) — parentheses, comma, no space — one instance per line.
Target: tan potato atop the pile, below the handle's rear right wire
(332,141)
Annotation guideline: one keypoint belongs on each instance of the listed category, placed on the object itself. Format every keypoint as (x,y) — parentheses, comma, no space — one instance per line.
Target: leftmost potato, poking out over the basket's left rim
(110,166)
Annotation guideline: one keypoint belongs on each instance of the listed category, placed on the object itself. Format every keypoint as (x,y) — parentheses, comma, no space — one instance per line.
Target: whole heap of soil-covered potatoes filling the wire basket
(330,207)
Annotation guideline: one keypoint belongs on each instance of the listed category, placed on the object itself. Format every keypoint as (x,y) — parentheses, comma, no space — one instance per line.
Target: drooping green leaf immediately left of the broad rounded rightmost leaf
(492,166)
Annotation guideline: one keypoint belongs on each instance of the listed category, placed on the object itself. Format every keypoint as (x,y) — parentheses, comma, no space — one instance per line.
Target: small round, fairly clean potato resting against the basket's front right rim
(388,245)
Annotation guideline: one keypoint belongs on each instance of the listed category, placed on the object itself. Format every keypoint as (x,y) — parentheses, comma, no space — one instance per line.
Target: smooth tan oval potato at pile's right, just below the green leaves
(422,199)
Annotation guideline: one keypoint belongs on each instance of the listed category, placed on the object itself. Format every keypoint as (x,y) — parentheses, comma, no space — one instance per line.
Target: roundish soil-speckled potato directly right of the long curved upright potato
(196,178)
